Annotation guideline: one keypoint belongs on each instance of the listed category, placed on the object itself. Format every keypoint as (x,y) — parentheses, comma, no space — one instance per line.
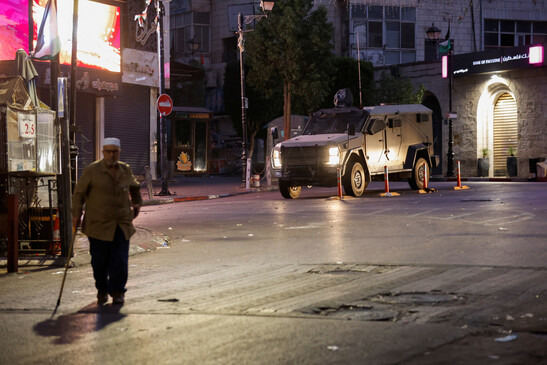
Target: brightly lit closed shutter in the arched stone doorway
(505,132)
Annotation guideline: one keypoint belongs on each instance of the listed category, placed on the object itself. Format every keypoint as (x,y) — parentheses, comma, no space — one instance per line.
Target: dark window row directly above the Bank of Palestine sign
(510,33)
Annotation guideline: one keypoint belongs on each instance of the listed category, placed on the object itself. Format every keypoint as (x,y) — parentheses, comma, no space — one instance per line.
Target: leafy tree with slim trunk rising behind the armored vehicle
(292,48)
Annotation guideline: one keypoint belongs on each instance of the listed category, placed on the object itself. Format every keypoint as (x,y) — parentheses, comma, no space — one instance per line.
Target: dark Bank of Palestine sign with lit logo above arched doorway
(496,60)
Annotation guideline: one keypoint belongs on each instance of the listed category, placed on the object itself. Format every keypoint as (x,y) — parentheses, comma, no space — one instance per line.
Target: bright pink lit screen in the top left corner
(13,28)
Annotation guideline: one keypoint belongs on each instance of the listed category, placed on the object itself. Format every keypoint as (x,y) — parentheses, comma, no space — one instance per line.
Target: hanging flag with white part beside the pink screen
(49,43)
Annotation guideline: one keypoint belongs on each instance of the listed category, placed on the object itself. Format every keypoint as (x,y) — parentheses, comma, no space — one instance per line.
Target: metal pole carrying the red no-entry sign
(163,136)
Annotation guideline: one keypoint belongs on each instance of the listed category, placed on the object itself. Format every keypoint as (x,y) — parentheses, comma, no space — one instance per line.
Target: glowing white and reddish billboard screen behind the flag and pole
(98,32)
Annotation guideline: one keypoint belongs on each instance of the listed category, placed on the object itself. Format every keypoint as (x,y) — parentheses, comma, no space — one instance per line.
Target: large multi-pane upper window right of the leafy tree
(389,32)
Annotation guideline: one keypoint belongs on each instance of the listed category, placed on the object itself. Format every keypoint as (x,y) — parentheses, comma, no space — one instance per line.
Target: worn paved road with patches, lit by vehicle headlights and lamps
(415,279)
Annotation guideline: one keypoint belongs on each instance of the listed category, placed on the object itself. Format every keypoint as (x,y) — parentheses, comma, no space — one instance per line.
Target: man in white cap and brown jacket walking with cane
(112,199)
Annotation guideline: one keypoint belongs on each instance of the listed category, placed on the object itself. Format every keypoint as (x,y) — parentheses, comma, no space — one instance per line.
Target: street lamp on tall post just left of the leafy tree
(241,21)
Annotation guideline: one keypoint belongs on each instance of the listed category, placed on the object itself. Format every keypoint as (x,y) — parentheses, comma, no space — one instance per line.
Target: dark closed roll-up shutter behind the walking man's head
(128,118)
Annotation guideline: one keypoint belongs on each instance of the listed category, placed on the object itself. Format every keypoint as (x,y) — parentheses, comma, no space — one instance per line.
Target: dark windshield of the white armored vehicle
(333,123)
